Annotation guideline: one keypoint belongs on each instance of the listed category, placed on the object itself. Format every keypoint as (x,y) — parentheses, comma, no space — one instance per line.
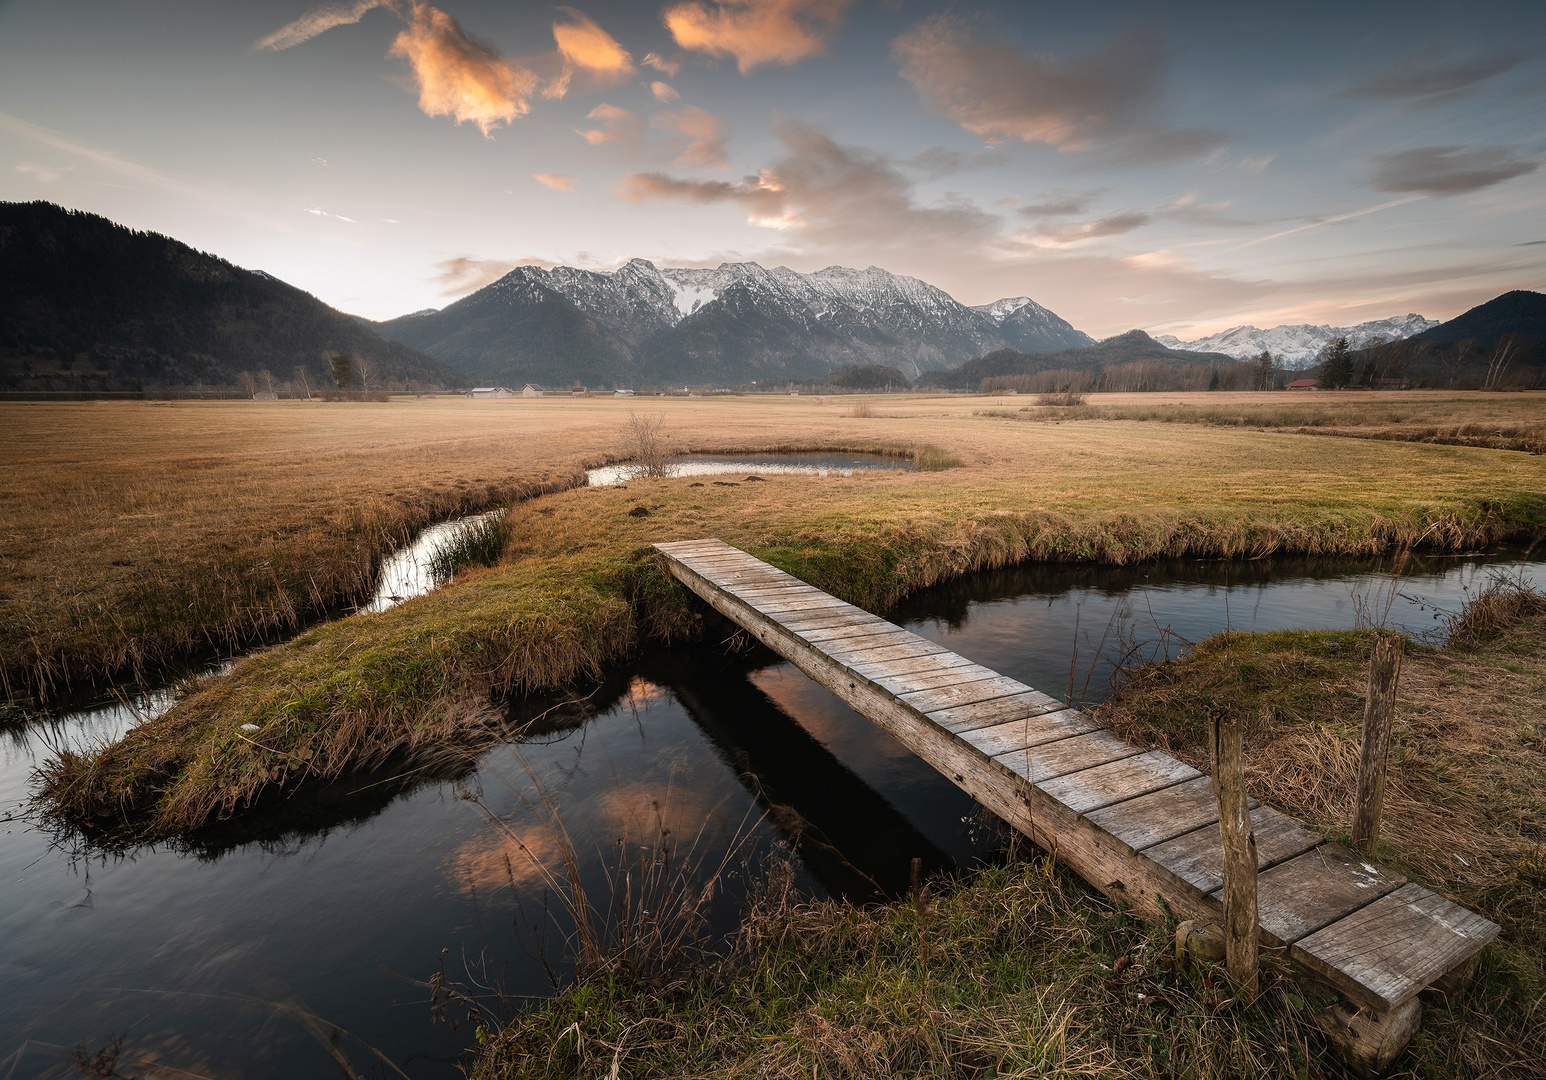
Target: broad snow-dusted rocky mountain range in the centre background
(730,325)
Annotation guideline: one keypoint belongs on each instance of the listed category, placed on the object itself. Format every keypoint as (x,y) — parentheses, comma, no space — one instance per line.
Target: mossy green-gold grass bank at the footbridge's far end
(579,586)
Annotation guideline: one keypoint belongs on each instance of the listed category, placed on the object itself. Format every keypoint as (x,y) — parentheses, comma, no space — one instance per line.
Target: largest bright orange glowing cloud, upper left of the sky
(458,76)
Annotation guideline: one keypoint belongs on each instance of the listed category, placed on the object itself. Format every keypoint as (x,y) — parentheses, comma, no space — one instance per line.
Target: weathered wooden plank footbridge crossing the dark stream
(1139,826)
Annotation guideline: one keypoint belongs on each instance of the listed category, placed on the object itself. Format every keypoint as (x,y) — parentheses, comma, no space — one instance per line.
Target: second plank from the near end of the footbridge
(1320,888)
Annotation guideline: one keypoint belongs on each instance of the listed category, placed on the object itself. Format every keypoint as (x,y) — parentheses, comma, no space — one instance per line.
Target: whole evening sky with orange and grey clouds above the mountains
(1176,168)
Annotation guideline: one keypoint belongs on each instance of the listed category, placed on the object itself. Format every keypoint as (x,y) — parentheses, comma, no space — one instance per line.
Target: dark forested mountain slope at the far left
(90,305)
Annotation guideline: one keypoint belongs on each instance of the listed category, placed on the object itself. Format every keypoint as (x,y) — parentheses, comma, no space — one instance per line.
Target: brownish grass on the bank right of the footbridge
(1463,809)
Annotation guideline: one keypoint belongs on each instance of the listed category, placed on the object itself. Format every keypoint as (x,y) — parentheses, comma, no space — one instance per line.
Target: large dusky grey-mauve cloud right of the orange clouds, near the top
(1098,101)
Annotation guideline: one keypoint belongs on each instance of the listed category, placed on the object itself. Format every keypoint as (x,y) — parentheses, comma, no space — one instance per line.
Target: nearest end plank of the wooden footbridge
(1388,953)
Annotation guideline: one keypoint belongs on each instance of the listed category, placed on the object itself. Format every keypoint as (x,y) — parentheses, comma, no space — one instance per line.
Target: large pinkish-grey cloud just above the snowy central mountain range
(833,199)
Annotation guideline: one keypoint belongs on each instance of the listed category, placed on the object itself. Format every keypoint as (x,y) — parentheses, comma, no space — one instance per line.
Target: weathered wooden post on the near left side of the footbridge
(1234,824)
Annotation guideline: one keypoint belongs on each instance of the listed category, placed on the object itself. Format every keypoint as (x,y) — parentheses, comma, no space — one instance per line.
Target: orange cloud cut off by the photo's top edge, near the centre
(757,32)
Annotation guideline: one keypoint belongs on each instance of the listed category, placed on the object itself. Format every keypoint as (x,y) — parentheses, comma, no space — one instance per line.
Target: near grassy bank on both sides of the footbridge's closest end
(1021,971)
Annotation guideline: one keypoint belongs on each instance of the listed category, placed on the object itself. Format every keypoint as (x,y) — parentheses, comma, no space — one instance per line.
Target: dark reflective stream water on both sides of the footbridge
(236,953)
